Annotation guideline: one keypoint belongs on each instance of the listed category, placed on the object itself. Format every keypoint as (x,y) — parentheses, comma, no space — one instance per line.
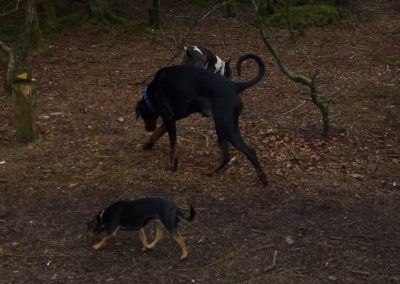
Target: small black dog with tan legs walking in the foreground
(134,215)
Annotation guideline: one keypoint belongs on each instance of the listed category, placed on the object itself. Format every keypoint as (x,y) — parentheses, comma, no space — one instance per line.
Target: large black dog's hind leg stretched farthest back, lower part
(237,141)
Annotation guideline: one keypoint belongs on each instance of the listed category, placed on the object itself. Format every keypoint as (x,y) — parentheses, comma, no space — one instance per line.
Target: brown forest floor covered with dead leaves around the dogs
(331,210)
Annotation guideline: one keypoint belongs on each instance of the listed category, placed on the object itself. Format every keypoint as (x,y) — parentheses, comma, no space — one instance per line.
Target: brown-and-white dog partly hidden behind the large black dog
(202,57)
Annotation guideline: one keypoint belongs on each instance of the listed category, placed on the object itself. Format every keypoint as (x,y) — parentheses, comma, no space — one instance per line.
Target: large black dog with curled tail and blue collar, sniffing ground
(178,91)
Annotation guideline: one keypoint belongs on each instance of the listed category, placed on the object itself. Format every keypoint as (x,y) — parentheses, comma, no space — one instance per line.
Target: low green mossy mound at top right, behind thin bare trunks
(307,16)
